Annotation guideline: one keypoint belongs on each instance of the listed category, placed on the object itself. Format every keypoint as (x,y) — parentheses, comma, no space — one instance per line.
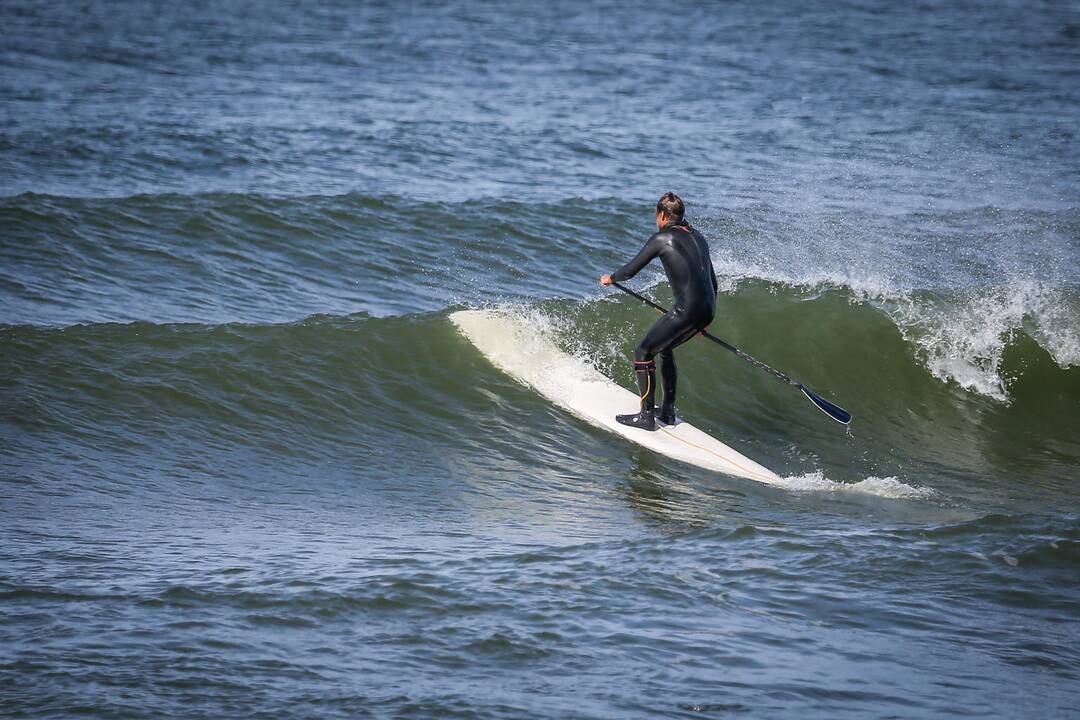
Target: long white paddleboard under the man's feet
(525,355)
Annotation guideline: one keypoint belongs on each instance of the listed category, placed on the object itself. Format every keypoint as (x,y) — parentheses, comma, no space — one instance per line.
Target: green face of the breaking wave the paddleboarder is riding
(304,388)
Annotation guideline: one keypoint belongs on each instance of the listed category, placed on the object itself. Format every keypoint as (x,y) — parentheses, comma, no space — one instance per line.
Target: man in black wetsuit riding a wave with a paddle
(685,255)
